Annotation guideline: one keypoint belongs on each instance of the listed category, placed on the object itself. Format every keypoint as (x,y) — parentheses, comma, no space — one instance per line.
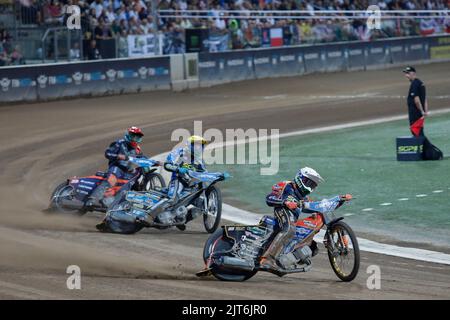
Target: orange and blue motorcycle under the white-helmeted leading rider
(233,253)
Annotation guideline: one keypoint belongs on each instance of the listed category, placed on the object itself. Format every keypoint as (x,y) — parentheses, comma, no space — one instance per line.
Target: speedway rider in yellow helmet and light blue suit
(180,160)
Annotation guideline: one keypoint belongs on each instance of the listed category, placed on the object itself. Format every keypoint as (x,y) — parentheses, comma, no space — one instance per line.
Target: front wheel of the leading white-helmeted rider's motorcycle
(345,255)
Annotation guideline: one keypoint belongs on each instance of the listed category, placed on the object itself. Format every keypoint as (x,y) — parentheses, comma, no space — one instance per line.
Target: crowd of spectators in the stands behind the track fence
(108,19)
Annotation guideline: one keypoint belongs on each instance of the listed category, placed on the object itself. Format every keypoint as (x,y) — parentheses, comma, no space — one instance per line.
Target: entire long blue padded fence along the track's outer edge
(116,76)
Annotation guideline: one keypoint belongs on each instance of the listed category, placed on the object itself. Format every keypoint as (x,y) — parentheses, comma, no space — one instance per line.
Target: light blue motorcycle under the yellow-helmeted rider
(152,208)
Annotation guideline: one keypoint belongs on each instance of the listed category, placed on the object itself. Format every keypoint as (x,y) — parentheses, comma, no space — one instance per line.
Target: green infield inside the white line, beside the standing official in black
(362,161)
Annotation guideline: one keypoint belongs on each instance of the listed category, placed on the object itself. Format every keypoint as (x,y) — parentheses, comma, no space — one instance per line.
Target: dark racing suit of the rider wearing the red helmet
(118,168)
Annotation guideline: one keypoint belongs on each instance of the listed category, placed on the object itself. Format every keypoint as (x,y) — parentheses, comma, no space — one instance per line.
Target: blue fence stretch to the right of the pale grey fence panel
(216,68)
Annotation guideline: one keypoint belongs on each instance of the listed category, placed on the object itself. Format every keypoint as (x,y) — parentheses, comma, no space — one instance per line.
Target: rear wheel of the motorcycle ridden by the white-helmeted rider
(216,242)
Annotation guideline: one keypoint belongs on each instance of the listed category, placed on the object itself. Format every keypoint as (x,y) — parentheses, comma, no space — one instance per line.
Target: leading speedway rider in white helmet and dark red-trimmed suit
(286,197)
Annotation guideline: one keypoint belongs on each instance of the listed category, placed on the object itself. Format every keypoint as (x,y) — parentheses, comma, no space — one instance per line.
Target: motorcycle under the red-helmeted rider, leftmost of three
(71,196)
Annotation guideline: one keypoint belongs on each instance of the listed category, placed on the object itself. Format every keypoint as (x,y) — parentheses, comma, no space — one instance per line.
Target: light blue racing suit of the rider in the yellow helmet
(178,162)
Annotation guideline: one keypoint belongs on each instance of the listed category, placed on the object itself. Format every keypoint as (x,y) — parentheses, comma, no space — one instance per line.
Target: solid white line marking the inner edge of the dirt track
(244,217)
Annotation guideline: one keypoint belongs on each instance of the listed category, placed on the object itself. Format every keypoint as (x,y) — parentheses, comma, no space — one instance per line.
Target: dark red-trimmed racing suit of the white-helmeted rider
(285,197)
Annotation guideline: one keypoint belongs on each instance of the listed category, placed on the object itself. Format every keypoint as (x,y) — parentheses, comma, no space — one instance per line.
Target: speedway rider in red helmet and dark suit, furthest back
(117,153)
